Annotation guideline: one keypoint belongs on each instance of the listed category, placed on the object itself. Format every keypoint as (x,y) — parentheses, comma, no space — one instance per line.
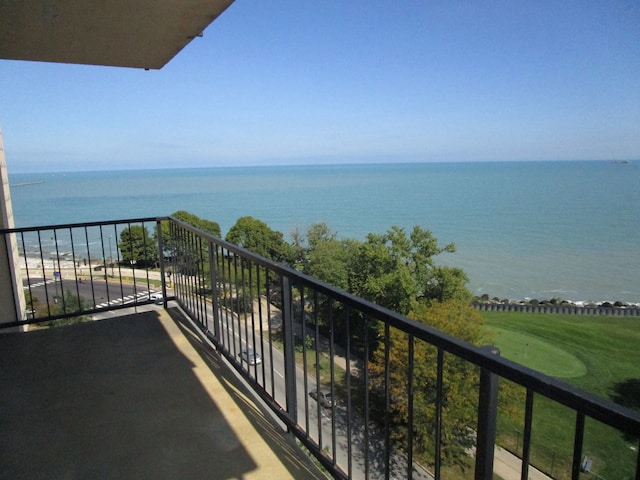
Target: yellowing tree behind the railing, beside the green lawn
(460,382)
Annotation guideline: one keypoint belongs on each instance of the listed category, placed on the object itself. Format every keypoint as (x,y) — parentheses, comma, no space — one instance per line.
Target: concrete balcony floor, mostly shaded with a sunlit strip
(136,396)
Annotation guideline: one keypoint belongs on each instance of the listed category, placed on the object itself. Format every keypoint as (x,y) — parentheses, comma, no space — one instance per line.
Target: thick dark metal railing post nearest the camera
(487,418)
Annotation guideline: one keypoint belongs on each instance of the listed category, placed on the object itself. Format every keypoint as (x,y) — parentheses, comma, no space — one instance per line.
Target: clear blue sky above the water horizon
(334,81)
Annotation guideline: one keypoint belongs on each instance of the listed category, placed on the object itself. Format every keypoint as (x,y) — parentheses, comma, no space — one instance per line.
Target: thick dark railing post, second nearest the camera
(289,350)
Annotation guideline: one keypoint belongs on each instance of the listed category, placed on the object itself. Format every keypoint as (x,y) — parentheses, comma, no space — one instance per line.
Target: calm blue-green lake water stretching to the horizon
(526,229)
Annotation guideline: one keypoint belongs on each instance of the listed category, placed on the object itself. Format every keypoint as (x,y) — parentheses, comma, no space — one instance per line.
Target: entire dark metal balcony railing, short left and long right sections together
(358,385)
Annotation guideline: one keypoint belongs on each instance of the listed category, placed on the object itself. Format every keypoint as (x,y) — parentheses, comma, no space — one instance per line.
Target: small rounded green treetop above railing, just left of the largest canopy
(257,237)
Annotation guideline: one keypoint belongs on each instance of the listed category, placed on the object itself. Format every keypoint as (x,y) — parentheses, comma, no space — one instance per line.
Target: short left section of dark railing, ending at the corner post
(72,271)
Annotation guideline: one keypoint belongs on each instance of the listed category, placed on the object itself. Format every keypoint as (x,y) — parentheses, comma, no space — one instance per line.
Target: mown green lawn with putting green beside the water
(593,353)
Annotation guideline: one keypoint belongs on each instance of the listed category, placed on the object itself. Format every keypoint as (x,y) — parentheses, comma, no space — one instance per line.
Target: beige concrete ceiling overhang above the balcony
(124,33)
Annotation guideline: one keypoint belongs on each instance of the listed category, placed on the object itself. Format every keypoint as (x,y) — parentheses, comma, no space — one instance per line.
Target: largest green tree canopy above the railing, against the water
(394,269)
